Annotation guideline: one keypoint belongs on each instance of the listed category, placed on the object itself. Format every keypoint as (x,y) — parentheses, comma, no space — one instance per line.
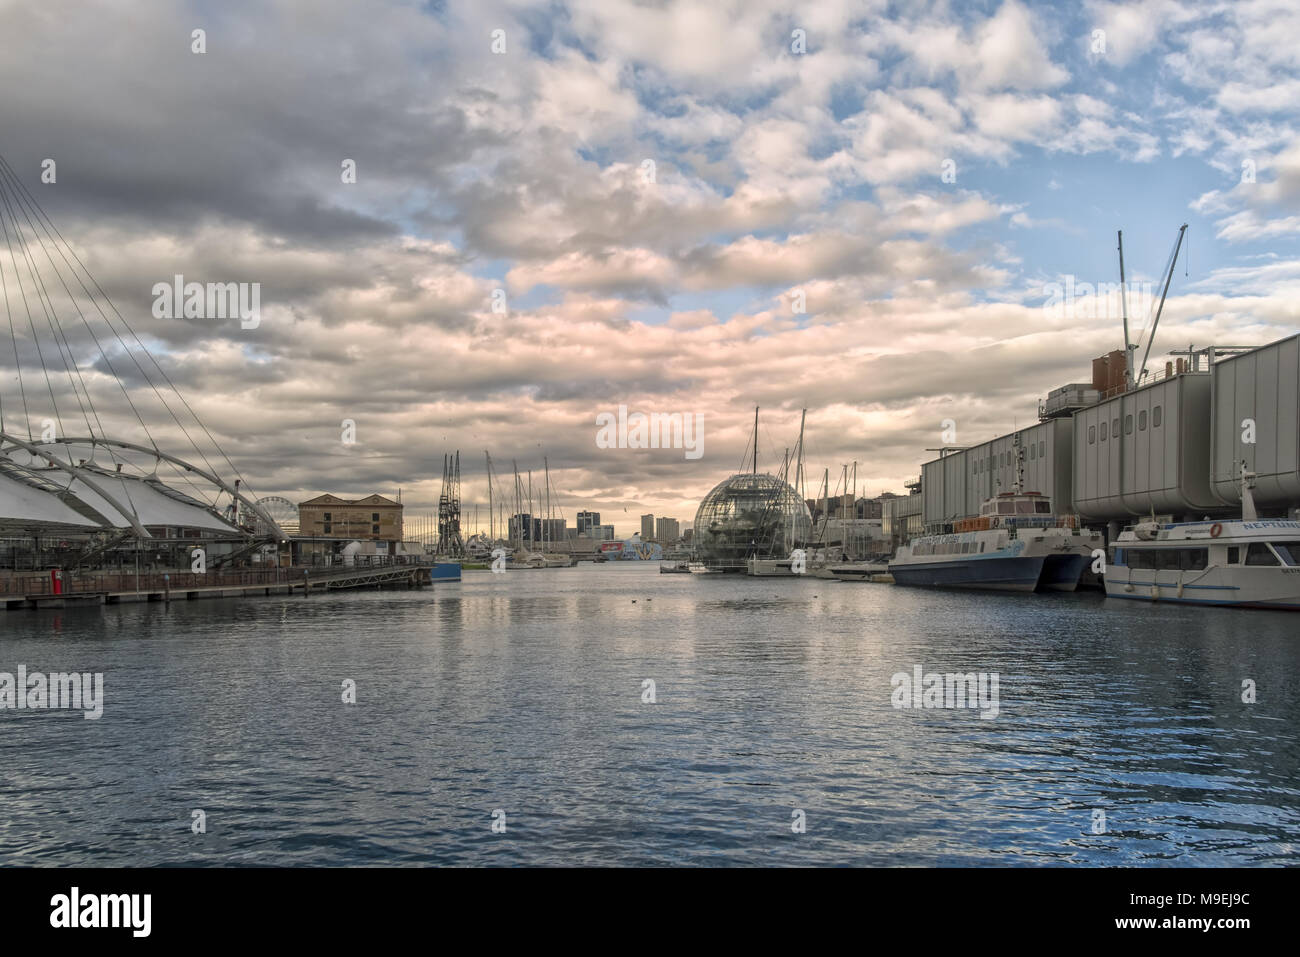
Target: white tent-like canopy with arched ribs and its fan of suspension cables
(58,315)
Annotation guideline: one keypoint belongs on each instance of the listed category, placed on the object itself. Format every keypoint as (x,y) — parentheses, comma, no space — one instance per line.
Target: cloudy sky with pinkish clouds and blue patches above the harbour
(857,209)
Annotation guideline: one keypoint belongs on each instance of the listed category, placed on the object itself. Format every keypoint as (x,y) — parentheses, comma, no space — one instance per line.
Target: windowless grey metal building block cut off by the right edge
(1260,386)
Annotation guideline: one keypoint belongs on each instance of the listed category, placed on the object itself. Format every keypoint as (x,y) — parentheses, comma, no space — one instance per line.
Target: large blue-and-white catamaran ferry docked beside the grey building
(1017,544)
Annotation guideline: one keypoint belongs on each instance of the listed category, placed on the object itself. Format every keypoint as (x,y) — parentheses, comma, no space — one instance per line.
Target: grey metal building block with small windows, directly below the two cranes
(1160,462)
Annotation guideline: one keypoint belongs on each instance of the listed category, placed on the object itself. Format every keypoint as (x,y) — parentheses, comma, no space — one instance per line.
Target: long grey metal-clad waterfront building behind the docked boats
(1172,448)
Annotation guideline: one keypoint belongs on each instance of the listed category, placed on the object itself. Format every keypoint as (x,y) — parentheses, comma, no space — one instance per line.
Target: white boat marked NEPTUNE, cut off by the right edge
(1246,564)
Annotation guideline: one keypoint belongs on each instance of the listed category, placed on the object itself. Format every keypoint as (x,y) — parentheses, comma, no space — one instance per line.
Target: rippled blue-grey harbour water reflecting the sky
(523,692)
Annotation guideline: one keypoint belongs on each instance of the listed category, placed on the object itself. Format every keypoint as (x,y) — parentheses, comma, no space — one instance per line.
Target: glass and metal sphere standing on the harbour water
(751,517)
